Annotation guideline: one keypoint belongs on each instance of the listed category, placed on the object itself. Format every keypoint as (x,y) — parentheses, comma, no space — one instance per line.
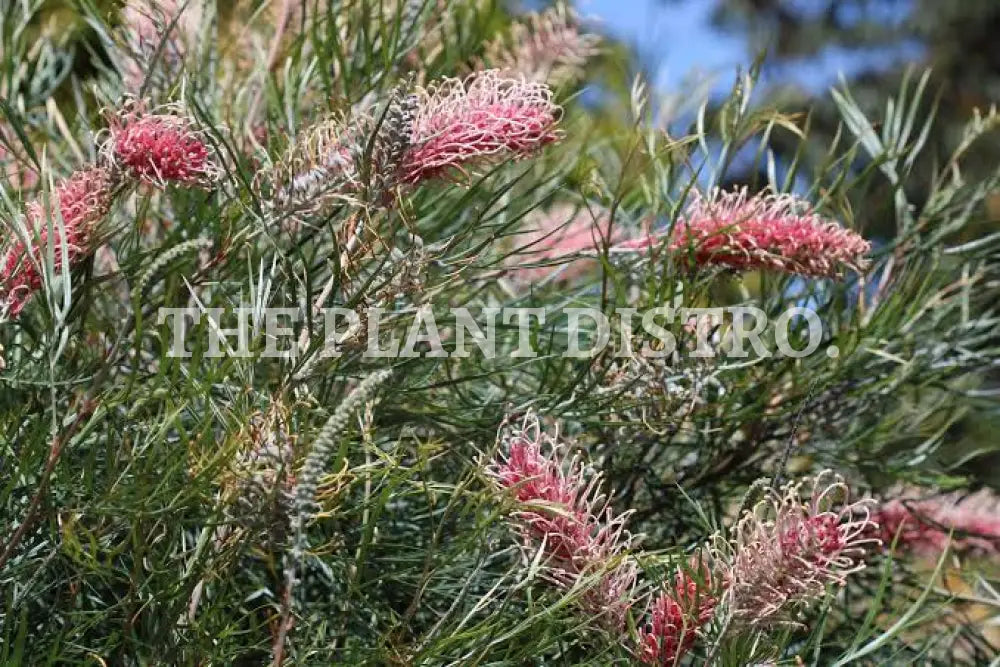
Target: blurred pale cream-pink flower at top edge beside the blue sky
(547,47)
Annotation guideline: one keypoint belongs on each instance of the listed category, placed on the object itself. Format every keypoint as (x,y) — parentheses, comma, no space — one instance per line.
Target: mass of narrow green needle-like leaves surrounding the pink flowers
(318,509)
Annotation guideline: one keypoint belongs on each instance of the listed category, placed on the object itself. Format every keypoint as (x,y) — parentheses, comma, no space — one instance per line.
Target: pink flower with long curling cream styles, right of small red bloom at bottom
(787,550)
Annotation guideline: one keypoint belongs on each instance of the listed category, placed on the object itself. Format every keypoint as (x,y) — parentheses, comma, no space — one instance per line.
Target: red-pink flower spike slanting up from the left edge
(81,202)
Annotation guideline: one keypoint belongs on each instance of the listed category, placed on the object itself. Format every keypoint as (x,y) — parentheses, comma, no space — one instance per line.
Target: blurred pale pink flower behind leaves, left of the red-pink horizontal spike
(563,235)
